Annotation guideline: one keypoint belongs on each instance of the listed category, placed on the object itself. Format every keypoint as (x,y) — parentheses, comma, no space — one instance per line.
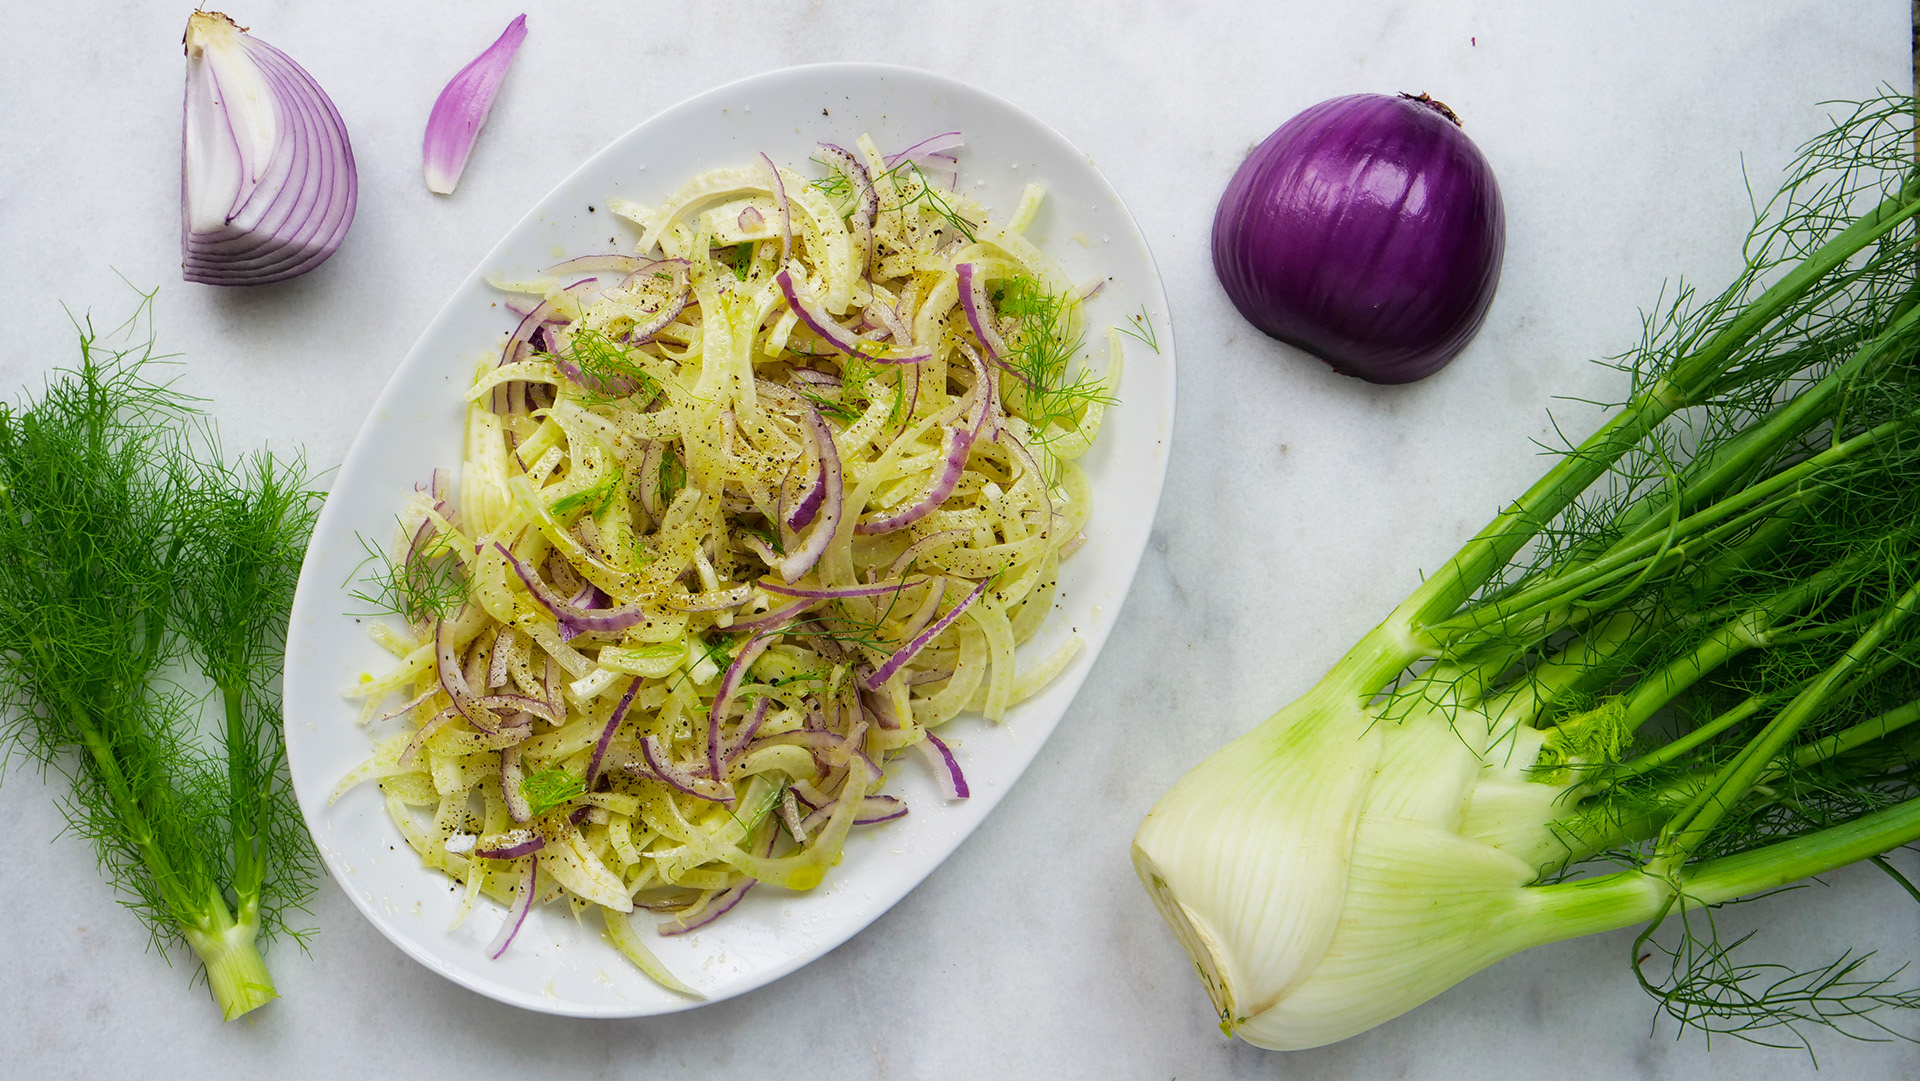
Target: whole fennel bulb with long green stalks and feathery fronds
(1679,671)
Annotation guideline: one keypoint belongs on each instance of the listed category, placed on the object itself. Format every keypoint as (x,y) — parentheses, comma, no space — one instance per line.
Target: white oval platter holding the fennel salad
(560,965)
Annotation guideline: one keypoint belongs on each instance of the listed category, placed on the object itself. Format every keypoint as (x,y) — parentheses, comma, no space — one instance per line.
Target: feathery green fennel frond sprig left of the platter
(135,558)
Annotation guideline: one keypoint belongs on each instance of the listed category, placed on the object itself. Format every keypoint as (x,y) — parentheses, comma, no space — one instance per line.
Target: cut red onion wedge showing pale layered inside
(268,181)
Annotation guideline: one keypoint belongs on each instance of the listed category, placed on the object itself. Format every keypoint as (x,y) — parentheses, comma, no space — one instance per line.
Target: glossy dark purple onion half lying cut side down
(1366,231)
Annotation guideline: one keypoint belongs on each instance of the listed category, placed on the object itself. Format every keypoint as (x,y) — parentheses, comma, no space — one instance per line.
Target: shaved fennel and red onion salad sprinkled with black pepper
(746,516)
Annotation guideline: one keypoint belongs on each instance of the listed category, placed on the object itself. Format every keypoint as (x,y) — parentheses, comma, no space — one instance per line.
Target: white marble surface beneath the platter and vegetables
(1299,508)
